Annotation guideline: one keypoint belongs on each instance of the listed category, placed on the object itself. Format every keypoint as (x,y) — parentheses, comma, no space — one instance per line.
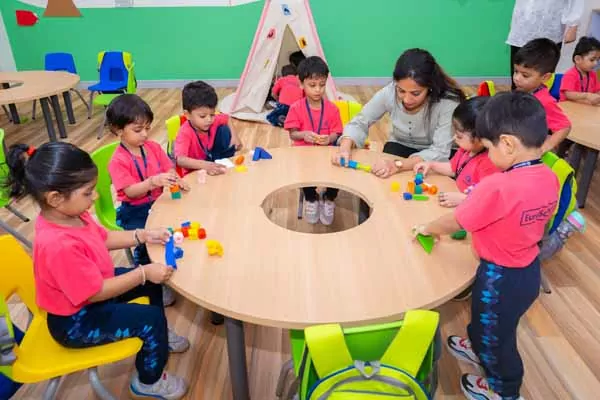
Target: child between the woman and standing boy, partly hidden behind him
(471,163)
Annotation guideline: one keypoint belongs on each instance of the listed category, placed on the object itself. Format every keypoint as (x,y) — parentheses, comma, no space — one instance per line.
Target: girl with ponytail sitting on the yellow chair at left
(85,296)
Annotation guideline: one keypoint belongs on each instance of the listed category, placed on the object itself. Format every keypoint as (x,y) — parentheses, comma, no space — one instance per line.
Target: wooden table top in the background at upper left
(34,85)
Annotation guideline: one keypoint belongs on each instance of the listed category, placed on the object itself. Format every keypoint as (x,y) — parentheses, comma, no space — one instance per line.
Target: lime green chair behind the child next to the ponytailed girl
(104,205)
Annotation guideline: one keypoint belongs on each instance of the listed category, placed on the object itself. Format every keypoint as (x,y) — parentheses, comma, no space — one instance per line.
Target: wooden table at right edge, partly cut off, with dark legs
(585,133)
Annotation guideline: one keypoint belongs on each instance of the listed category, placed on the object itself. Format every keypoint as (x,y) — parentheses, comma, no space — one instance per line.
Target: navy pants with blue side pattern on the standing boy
(500,297)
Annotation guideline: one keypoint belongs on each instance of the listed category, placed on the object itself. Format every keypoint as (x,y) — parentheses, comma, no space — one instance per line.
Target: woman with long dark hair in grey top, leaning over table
(420,101)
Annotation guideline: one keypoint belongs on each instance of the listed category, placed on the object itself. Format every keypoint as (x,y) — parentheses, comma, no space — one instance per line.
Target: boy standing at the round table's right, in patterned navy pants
(507,215)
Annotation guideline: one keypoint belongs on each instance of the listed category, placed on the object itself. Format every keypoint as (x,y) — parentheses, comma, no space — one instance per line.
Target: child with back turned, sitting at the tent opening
(286,92)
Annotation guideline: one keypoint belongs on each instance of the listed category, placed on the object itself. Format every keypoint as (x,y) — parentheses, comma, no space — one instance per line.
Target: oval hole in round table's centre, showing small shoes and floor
(287,208)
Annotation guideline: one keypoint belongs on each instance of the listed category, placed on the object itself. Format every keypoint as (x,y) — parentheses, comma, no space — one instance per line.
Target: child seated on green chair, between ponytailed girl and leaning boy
(139,169)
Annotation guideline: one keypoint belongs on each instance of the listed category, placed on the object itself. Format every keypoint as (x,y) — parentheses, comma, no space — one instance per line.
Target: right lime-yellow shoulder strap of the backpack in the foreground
(409,347)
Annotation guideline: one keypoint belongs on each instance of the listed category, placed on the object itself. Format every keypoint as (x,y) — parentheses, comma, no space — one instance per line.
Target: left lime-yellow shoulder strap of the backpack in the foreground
(327,348)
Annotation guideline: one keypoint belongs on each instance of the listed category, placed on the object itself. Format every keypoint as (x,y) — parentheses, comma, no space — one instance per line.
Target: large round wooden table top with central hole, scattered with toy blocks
(276,277)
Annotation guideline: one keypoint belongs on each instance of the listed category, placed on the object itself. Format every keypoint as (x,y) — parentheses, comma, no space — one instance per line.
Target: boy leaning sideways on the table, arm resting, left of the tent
(204,137)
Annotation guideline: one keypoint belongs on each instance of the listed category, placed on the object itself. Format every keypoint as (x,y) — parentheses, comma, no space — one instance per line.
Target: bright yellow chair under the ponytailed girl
(39,357)
